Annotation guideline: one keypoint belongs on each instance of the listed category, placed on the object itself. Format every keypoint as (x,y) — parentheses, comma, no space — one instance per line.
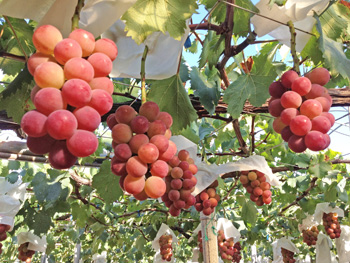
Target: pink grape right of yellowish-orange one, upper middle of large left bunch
(79,68)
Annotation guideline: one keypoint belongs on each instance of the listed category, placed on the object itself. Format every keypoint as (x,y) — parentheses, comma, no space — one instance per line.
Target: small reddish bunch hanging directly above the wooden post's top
(208,199)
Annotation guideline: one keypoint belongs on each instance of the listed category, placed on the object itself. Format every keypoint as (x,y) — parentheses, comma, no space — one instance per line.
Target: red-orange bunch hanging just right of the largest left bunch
(141,149)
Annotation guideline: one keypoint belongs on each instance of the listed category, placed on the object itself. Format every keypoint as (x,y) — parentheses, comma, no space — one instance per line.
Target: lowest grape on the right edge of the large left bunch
(82,143)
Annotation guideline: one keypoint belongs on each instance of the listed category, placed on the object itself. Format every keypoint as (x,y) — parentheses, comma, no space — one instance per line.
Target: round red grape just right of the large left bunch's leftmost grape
(61,124)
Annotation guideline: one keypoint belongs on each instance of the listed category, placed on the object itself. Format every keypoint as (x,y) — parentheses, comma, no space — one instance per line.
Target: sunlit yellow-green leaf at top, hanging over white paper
(146,17)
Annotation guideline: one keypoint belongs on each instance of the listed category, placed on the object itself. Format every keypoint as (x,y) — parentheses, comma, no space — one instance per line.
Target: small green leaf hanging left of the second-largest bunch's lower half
(106,183)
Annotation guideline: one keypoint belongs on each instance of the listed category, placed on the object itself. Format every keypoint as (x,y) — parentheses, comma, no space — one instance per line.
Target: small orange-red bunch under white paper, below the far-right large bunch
(256,185)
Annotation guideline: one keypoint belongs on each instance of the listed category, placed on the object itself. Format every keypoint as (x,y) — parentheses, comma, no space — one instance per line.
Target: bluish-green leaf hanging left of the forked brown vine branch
(208,91)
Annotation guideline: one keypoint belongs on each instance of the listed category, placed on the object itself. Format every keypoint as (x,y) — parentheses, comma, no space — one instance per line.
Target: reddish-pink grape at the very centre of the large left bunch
(76,92)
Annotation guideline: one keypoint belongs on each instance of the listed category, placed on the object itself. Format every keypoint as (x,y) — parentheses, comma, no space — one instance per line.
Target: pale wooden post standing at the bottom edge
(209,236)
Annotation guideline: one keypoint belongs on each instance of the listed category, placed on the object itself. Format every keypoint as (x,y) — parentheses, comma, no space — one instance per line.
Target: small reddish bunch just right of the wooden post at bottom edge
(229,251)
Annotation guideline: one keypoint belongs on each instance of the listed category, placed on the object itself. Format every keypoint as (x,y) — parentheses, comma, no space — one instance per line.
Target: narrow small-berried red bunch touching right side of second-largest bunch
(180,183)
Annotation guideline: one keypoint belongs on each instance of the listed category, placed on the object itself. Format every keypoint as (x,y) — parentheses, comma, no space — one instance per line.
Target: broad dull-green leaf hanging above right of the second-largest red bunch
(172,97)
